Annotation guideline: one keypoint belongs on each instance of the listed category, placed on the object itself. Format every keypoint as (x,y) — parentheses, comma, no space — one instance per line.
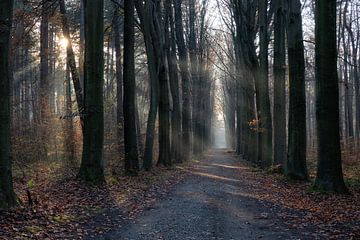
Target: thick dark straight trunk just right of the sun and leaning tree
(92,167)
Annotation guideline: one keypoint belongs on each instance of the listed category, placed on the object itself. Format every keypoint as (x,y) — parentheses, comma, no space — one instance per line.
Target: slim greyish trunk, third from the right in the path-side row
(279,83)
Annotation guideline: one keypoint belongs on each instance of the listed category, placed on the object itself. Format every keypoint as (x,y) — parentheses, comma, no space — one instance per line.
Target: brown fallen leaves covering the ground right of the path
(321,215)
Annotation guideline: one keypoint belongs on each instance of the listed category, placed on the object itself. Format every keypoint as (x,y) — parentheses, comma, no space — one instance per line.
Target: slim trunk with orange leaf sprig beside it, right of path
(264,112)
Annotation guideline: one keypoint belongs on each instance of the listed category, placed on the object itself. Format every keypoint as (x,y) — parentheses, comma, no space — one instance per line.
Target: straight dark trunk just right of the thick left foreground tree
(131,151)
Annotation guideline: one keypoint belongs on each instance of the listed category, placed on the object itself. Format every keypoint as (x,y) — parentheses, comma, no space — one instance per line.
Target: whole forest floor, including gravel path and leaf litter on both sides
(219,196)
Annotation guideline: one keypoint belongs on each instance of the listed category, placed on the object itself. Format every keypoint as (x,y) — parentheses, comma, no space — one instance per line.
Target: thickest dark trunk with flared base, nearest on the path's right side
(329,175)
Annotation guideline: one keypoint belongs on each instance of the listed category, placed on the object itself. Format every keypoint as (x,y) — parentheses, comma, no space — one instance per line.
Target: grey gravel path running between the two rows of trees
(214,202)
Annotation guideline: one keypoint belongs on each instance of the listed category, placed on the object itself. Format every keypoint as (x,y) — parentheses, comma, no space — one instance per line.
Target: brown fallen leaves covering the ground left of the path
(70,209)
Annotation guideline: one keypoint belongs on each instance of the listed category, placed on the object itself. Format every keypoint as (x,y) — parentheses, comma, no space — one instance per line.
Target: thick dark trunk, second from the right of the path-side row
(296,161)
